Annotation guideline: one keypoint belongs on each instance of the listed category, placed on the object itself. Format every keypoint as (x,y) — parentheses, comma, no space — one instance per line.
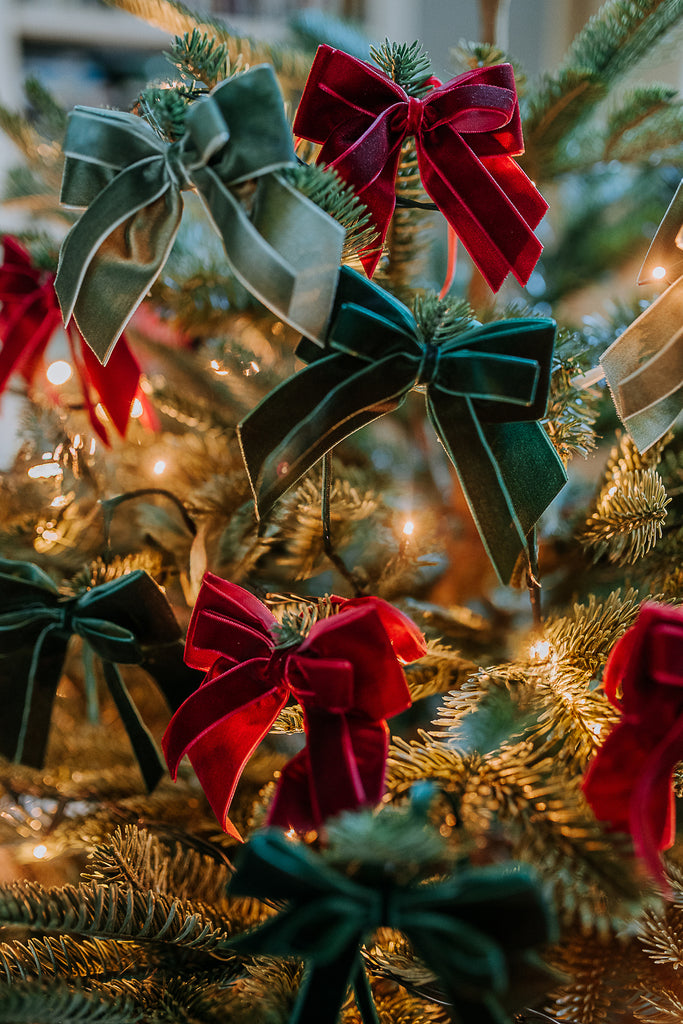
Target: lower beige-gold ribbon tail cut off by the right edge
(645,369)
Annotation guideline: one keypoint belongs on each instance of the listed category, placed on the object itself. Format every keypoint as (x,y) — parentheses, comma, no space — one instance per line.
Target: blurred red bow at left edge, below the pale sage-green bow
(29,318)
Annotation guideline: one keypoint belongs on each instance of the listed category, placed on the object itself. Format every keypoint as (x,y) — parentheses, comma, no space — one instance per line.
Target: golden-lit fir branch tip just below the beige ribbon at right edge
(629,518)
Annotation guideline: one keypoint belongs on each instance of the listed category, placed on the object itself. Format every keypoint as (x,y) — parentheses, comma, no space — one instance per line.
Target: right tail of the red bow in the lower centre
(343,769)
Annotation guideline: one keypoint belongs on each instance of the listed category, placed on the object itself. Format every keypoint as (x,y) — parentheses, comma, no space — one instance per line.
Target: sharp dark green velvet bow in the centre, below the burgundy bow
(484,391)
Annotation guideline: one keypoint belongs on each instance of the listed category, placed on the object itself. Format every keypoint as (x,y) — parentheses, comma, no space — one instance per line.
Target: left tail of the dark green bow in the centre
(313,411)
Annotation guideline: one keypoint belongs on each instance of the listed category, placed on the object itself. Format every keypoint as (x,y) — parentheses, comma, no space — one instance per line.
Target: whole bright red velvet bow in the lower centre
(346,675)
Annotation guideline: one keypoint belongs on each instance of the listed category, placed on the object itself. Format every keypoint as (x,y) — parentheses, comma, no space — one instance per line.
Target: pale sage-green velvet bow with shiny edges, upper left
(286,252)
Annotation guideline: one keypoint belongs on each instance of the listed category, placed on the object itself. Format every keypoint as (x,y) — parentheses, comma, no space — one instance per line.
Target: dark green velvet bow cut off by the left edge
(127,621)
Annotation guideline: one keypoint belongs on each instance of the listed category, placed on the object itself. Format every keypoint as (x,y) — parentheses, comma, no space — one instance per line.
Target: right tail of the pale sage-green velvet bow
(288,257)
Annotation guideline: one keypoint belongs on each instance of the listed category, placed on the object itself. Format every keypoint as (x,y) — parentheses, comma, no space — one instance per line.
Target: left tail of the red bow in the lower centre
(219,728)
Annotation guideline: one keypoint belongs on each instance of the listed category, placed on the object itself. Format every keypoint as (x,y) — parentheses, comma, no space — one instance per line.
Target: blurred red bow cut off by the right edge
(629,782)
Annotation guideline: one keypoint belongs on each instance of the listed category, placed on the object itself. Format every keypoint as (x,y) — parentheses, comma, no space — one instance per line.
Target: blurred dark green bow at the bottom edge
(473,929)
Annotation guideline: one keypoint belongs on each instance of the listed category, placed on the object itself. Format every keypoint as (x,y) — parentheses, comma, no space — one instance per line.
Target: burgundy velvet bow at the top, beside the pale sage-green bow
(466,135)
